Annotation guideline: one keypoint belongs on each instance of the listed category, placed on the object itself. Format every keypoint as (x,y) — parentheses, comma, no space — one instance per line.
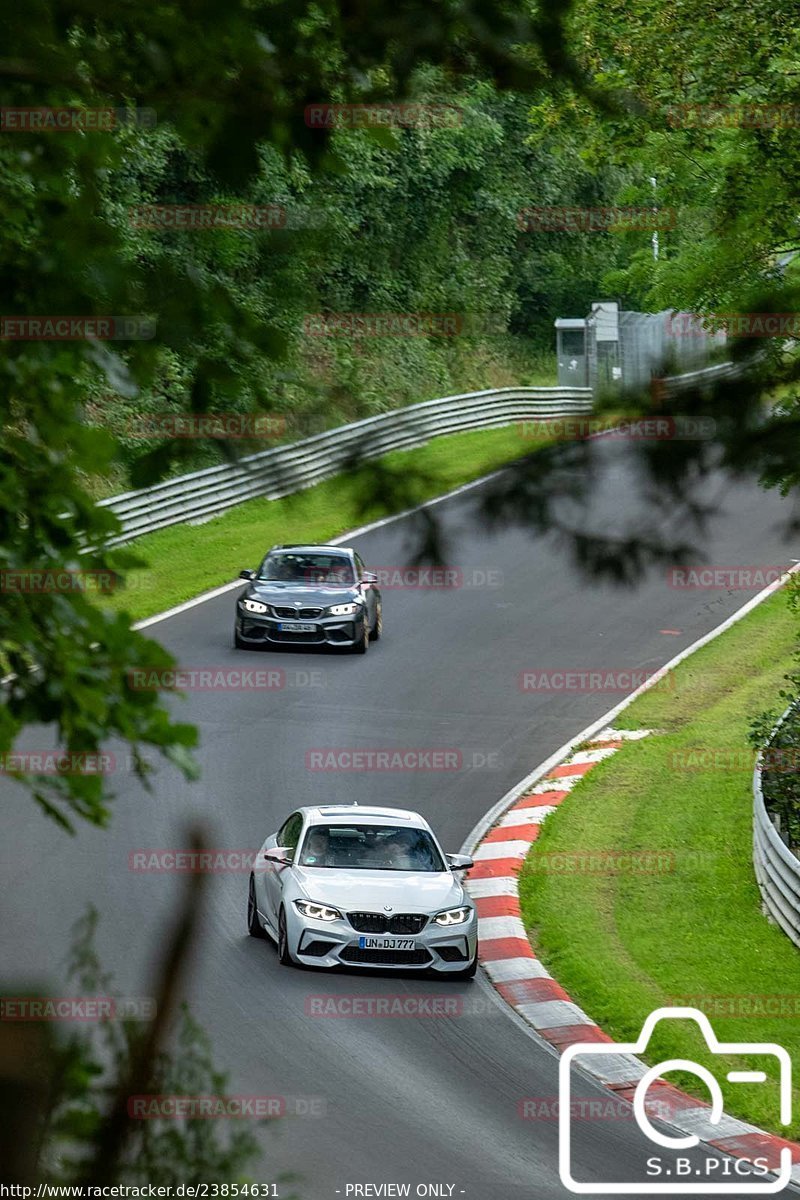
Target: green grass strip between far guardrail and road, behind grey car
(185,561)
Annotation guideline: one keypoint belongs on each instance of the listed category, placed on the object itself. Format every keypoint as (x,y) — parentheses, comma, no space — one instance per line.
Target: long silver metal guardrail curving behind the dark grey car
(298,465)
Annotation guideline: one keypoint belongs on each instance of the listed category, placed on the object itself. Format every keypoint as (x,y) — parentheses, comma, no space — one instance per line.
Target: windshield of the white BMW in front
(370,848)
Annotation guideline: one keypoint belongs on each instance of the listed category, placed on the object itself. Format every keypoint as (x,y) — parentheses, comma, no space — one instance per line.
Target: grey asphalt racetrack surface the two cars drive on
(430,1100)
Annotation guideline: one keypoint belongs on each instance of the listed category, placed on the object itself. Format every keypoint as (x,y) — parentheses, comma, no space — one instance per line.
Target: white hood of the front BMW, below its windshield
(375,891)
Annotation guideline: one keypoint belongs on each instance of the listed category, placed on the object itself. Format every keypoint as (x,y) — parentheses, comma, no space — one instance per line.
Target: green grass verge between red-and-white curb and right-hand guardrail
(625,945)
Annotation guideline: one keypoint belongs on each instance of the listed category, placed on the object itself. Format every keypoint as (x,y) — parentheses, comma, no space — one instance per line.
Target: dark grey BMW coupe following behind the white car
(314,596)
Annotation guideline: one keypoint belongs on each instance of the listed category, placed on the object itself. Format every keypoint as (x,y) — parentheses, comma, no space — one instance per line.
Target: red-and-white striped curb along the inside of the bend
(528,987)
